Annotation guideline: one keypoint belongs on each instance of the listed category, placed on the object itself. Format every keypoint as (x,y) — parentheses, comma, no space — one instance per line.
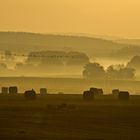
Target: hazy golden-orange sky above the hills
(98,17)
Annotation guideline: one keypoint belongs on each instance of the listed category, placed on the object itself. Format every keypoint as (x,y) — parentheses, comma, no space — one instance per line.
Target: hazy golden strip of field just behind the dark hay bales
(69,85)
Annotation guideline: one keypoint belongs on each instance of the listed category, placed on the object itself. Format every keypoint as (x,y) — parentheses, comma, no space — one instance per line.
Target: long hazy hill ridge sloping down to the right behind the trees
(25,42)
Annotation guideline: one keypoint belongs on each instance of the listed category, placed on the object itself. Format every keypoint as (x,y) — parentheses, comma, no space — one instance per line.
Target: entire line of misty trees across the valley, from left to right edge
(49,60)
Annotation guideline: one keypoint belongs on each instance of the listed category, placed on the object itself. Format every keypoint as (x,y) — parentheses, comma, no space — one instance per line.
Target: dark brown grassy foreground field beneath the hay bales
(68,117)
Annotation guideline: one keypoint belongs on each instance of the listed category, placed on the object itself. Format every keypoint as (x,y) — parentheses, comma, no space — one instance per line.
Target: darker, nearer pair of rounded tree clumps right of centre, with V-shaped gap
(113,72)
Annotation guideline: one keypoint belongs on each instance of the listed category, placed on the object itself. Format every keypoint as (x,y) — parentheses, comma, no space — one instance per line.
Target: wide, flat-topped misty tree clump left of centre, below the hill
(57,58)
